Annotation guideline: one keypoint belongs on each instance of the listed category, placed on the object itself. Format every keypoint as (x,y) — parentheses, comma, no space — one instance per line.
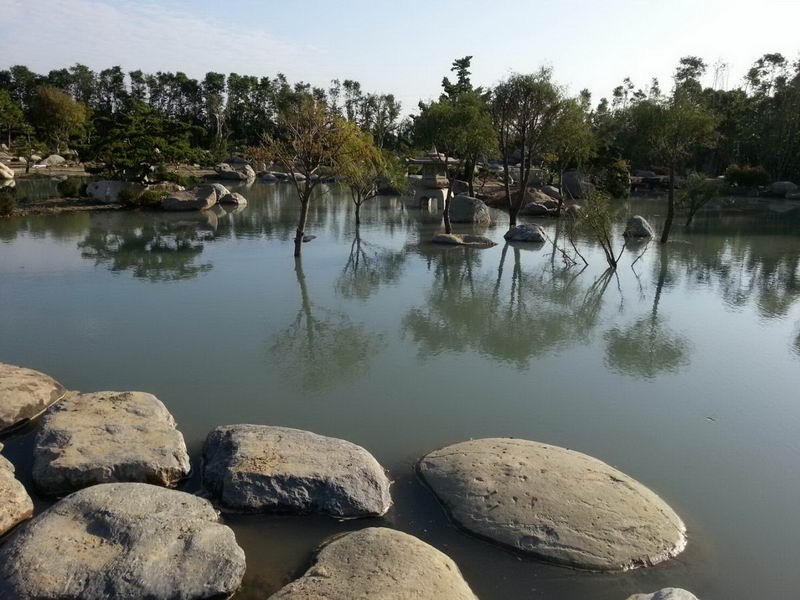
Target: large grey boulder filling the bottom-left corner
(126,541)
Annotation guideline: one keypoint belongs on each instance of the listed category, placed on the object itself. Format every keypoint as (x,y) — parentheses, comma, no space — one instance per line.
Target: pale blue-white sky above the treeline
(404,48)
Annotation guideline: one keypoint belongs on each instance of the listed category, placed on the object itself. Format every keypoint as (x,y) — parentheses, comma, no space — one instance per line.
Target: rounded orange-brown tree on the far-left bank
(57,115)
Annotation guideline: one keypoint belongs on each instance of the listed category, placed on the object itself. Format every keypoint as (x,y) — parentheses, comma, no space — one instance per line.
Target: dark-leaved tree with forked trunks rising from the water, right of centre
(524,108)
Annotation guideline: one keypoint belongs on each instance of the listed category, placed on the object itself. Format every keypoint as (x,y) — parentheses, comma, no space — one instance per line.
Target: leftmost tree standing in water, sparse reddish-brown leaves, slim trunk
(312,140)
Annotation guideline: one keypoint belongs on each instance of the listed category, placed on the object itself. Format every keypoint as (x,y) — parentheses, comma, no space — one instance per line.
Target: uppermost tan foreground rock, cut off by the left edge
(24,394)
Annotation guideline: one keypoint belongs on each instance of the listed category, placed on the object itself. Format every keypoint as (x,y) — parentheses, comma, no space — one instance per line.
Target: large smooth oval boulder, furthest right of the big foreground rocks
(556,504)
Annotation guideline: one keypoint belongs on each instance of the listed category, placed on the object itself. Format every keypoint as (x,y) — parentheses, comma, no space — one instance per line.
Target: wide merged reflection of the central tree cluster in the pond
(533,314)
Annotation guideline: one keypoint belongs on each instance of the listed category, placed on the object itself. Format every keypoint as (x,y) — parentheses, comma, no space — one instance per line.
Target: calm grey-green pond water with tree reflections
(682,370)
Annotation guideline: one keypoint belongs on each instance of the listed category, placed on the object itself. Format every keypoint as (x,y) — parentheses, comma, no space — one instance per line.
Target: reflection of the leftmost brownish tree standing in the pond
(321,346)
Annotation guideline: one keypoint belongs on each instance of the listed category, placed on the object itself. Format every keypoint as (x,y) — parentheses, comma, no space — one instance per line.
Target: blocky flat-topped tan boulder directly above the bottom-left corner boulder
(107,437)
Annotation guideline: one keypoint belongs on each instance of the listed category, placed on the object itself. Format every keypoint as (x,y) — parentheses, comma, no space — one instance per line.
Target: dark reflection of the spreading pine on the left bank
(154,246)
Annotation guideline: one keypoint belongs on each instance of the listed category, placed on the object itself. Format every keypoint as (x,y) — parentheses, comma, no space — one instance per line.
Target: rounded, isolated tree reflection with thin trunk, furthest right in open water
(647,347)
